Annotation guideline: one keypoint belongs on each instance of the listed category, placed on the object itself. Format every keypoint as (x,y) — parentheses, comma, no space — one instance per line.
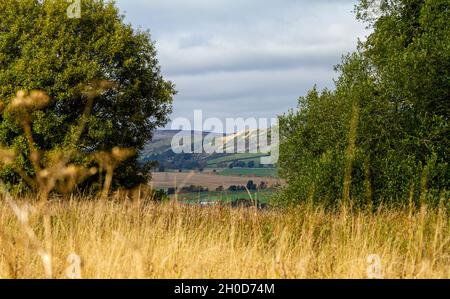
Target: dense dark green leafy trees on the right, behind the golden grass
(382,136)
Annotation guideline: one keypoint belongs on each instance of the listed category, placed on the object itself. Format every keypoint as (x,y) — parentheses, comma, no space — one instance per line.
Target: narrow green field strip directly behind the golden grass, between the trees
(261,196)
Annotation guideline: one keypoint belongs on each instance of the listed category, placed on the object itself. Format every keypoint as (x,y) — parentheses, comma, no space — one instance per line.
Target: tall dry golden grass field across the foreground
(125,239)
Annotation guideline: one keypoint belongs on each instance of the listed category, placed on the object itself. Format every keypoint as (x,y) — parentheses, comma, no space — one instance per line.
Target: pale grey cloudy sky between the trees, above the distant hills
(246,58)
